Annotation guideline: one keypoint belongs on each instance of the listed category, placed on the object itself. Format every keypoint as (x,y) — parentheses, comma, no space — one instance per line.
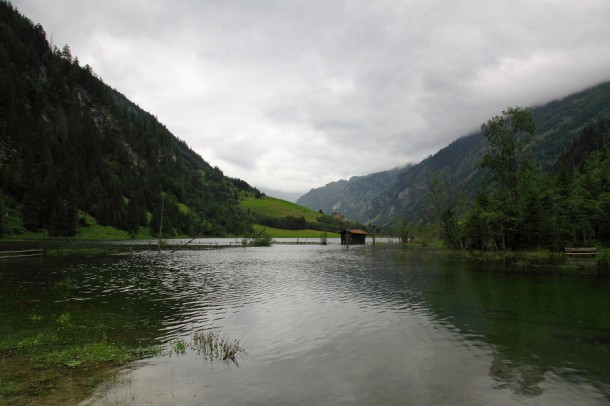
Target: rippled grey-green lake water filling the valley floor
(326,325)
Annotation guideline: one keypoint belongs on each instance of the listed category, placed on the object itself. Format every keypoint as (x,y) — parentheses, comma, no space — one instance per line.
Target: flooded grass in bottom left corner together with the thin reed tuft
(58,366)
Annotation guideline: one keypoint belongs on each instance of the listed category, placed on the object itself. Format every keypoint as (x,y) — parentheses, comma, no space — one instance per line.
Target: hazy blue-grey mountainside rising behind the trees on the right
(386,198)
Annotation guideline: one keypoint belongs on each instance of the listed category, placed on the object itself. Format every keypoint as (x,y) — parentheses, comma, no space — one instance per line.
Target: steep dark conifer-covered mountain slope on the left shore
(70,146)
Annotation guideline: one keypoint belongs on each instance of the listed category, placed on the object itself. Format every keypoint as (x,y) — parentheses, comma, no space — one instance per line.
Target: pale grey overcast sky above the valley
(291,95)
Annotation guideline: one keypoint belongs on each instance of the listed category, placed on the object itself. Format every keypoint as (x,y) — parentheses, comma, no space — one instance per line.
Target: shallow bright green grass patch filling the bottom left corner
(58,361)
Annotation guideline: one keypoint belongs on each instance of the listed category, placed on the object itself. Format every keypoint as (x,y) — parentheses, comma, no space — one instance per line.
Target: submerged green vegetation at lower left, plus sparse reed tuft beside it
(44,352)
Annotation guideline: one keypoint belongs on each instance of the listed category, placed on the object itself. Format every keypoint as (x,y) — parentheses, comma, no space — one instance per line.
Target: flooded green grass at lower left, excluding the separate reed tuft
(57,354)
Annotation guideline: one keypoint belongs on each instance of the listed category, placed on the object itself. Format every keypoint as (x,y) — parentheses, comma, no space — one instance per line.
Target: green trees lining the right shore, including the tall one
(521,206)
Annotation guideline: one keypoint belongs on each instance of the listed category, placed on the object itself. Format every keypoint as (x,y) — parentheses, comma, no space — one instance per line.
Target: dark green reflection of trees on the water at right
(540,324)
